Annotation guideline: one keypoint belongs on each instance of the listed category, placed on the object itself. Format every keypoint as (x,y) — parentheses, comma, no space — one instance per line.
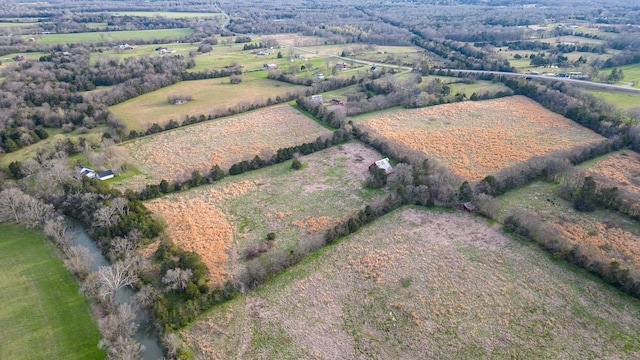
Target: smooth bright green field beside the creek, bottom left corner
(42,315)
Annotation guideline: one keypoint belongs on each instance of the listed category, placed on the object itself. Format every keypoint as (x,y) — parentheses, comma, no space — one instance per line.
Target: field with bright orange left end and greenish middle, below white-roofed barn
(219,221)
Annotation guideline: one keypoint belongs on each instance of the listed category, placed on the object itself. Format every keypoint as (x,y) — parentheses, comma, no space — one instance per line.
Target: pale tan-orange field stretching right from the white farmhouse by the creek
(176,153)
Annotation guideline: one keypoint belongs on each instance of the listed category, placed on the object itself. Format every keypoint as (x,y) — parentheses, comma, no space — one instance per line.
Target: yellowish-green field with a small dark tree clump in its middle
(209,94)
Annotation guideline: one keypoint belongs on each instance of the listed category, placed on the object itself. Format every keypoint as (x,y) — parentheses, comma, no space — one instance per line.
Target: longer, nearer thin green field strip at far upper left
(93,37)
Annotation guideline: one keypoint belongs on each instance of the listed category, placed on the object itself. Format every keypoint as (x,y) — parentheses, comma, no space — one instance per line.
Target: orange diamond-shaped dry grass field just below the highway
(475,139)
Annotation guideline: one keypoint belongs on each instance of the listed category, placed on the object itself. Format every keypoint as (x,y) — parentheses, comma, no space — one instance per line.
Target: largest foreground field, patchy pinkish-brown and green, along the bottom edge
(420,284)
